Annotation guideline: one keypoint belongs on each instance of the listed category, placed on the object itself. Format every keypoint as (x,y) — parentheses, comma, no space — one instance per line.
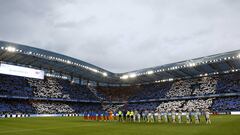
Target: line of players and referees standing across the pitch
(149,116)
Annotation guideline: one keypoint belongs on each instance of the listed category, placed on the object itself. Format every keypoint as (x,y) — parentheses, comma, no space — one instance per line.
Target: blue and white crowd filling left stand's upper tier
(47,88)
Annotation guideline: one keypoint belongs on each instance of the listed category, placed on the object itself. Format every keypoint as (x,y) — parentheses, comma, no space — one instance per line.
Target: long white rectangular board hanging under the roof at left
(21,71)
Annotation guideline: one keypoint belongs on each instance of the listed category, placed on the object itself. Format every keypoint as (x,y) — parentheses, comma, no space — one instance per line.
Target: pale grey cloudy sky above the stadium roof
(124,35)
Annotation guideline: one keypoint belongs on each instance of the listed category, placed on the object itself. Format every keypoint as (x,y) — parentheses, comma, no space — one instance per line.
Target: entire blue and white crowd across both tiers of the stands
(64,89)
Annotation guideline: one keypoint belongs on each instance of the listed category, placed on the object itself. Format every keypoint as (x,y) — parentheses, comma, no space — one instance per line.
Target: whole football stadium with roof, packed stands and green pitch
(44,92)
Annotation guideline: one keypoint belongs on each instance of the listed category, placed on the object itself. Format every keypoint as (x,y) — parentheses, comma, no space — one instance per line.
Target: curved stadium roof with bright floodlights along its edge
(34,57)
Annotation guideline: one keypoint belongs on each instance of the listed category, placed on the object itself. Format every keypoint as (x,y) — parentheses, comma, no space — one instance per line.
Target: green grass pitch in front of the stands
(221,125)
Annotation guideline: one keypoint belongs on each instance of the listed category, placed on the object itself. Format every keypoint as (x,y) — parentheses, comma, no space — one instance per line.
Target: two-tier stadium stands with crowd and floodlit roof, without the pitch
(210,83)
